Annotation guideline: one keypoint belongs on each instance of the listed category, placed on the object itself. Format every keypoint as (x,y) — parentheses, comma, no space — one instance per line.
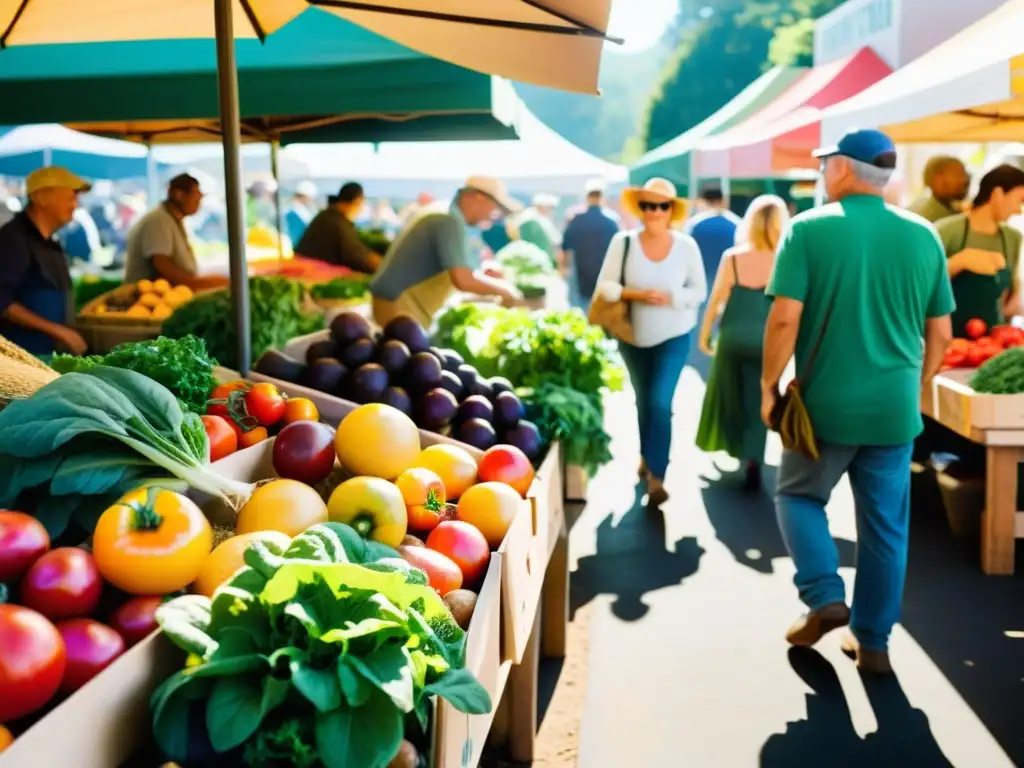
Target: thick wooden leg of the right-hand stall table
(999,521)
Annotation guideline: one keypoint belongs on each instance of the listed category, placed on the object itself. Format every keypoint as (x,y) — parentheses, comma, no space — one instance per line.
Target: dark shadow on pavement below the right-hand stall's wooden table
(969,625)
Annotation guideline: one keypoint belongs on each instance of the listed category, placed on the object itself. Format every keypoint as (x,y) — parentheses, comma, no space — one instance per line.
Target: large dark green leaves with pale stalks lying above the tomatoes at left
(87,439)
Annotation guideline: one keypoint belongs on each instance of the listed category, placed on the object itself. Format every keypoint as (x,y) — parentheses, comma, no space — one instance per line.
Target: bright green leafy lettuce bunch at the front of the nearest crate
(315,658)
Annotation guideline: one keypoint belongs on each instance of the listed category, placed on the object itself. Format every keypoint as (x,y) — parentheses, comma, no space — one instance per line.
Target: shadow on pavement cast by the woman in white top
(632,561)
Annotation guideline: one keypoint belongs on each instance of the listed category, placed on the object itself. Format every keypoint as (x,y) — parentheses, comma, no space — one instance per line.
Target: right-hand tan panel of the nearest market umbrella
(557,44)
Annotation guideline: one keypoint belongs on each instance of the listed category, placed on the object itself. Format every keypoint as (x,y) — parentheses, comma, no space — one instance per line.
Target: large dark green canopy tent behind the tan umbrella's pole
(318,79)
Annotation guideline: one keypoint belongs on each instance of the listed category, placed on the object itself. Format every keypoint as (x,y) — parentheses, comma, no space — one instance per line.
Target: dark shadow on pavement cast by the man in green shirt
(828,737)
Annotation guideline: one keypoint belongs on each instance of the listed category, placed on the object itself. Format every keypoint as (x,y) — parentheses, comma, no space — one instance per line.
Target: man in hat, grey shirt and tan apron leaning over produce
(432,259)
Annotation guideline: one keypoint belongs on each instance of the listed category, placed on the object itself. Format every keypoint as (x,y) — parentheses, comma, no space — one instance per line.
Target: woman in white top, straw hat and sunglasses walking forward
(665,283)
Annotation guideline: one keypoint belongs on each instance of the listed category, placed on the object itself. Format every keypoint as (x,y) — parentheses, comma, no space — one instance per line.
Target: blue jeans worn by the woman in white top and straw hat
(655,373)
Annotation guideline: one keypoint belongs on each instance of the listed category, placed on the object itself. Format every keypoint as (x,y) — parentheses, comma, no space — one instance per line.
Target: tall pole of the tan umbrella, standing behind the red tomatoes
(231,131)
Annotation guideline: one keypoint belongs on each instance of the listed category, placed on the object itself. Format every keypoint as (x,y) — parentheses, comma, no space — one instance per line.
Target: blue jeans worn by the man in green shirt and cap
(880,478)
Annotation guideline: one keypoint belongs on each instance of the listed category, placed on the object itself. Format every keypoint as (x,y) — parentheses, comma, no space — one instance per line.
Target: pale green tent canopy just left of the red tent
(672,160)
